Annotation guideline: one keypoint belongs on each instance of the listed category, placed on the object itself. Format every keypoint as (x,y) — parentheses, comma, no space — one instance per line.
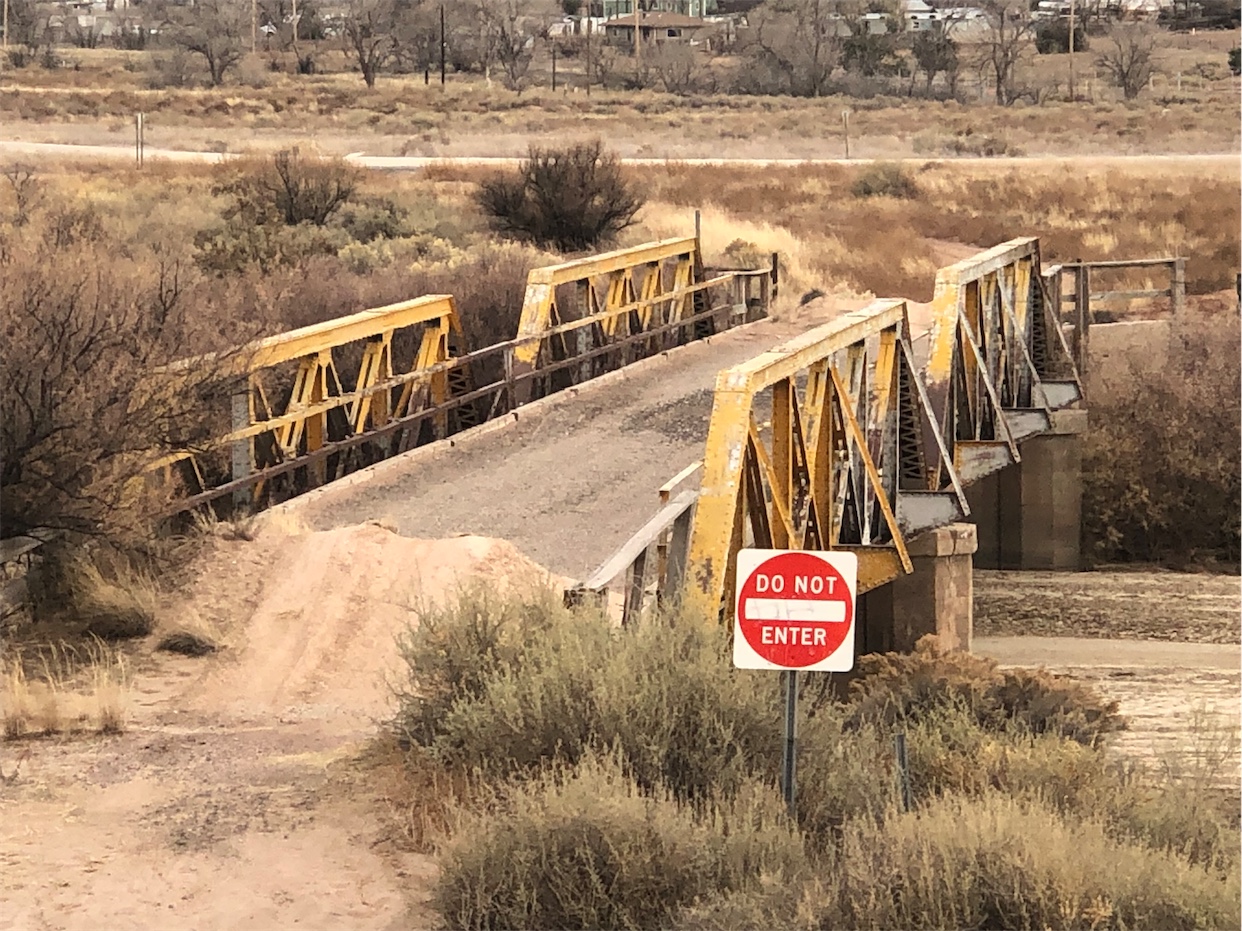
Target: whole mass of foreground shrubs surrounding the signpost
(602,778)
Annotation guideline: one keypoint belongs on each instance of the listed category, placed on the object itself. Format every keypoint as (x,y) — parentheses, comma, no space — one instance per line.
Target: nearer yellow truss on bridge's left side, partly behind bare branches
(285,421)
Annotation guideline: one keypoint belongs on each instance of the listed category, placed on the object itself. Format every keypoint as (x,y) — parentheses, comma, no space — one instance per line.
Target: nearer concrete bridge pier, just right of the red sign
(937,598)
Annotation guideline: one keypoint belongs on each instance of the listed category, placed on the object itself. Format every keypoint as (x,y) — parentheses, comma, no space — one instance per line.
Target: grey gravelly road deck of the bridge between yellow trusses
(573,479)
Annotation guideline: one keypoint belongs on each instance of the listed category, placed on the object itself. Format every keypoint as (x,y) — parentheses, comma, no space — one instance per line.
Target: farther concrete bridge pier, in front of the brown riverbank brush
(1030,516)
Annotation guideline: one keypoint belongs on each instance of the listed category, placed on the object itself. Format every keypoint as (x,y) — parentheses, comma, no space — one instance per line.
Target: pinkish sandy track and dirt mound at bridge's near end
(240,796)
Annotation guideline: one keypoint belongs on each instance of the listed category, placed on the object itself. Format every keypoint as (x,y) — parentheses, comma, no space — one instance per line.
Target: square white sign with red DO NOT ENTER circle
(796,610)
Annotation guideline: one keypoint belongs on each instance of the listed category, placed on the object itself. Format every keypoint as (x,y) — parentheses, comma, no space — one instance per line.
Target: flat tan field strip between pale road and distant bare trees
(94,99)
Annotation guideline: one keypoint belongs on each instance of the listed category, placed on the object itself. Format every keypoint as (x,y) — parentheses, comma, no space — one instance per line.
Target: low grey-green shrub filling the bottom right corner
(992,862)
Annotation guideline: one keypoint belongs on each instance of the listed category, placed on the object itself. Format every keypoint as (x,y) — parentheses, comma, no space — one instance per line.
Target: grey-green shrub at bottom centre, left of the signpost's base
(587,848)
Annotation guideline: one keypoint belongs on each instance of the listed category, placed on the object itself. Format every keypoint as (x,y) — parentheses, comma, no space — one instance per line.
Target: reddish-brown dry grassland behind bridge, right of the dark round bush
(892,248)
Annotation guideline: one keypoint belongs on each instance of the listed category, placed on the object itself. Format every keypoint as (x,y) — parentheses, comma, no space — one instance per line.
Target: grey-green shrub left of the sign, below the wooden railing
(522,686)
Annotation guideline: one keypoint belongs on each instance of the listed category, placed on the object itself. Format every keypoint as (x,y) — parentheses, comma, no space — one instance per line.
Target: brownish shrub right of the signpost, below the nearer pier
(906,687)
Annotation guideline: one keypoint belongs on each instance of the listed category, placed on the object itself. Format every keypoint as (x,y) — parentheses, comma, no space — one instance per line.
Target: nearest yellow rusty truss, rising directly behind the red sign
(840,465)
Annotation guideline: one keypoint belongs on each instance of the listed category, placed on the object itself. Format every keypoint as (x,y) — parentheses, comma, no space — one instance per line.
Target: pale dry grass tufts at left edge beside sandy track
(64,690)
